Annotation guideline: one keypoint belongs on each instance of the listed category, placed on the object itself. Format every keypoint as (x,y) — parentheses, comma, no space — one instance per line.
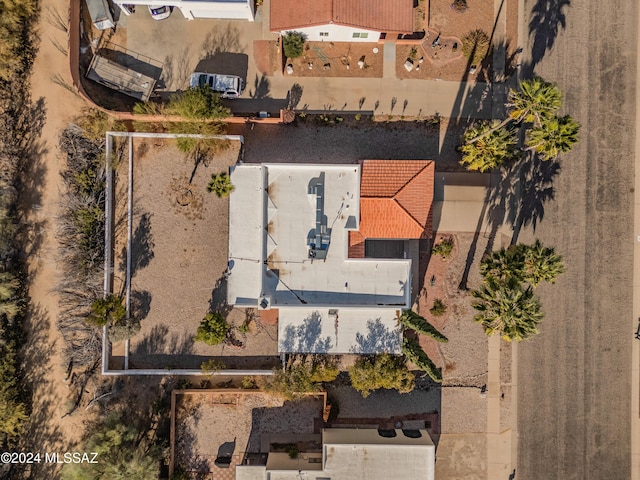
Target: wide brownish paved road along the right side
(575,378)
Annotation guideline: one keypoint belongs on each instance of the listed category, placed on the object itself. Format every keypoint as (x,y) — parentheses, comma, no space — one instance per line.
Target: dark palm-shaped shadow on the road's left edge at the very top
(547,20)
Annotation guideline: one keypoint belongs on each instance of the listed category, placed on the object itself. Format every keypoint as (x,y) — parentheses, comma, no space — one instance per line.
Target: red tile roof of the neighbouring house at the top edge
(378,15)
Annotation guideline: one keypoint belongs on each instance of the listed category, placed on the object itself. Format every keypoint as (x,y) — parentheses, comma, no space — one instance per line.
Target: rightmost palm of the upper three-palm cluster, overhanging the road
(553,136)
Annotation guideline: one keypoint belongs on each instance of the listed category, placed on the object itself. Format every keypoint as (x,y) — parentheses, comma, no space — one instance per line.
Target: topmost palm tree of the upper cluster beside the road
(535,100)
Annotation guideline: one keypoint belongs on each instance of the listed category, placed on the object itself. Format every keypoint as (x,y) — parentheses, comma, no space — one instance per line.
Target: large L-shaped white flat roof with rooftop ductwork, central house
(291,223)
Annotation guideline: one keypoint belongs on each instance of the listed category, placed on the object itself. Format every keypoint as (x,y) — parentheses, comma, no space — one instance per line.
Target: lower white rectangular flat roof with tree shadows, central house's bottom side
(339,330)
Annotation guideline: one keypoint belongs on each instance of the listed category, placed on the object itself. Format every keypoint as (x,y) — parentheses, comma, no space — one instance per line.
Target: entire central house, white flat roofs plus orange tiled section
(289,244)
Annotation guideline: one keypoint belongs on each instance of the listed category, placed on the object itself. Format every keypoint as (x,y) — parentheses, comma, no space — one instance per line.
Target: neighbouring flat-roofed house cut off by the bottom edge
(353,454)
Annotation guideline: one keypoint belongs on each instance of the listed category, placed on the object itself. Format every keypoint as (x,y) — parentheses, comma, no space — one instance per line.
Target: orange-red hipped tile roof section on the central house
(396,198)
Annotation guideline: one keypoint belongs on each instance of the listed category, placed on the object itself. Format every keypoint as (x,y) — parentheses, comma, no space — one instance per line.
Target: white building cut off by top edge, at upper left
(193,9)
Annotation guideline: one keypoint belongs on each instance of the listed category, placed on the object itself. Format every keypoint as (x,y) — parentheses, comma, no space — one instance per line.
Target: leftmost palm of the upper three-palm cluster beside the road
(491,147)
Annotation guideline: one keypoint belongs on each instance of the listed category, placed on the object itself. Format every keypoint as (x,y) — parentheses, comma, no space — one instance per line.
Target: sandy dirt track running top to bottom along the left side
(43,363)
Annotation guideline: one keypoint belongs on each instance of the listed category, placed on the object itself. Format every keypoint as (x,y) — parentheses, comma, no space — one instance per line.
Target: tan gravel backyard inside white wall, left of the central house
(179,255)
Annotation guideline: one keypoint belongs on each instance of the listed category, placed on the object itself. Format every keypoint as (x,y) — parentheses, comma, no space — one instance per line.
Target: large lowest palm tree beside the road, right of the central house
(507,308)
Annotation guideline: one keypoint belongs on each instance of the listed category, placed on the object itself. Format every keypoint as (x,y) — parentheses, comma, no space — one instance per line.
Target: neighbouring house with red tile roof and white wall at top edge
(342,20)
